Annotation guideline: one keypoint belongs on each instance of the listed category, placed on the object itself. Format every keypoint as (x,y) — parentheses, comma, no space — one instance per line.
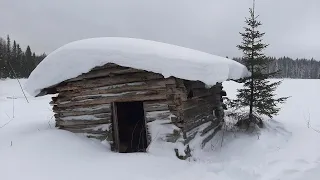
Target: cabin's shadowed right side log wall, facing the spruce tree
(202,105)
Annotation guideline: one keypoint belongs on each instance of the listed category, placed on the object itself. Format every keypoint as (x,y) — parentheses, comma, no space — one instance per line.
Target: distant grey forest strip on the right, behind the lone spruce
(292,68)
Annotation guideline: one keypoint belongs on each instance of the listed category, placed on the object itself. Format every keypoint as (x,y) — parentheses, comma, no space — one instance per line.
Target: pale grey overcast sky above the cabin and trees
(292,26)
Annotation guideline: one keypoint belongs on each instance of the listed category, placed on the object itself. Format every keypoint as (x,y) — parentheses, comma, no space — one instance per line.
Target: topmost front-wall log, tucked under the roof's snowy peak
(104,72)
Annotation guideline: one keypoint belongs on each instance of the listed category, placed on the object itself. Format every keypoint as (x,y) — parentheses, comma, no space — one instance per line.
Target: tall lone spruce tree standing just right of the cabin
(258,93)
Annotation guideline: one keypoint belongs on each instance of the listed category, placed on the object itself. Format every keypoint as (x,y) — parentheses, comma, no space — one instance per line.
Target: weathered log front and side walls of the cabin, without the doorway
(84,103)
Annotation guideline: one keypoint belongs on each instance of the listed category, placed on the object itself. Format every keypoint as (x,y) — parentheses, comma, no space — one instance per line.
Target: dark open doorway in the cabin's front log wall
(131,129)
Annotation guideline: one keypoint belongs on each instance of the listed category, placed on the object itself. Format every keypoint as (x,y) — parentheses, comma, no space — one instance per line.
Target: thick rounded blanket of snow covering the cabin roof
(81,56)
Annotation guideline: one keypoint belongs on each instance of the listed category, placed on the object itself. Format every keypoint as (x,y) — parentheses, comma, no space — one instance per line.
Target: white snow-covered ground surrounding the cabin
(32,149)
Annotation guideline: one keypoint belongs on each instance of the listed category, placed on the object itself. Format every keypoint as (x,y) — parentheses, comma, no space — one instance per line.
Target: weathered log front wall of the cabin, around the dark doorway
(83,104)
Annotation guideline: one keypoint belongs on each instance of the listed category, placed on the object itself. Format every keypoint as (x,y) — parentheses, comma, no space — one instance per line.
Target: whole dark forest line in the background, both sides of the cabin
(16,63)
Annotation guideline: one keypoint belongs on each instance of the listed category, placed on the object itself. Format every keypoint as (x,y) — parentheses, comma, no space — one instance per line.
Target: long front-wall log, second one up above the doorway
(137,86)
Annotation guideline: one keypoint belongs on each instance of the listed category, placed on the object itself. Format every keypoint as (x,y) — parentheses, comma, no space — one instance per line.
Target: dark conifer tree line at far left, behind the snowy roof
(15,62)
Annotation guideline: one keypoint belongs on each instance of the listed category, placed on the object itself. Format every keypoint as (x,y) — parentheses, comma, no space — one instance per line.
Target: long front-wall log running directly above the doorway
(108,100)
